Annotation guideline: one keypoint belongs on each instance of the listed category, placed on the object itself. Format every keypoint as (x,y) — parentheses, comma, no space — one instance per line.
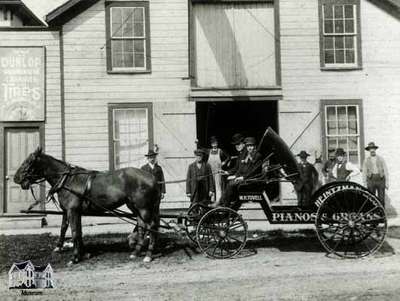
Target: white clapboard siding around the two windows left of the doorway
(89,89)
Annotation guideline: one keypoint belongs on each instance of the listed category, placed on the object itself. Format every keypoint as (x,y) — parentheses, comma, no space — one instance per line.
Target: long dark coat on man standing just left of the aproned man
(199,182)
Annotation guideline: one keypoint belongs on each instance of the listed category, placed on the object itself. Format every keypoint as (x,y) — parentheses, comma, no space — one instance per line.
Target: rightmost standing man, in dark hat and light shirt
(375,172)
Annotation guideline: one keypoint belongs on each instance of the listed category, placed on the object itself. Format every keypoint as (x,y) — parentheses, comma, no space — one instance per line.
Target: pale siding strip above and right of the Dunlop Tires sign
(50,40)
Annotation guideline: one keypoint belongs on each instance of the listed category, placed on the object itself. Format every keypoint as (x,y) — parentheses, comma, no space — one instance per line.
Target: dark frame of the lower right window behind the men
(343,102)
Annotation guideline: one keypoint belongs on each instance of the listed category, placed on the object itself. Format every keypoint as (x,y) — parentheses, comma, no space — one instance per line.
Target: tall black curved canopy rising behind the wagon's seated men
(273,145)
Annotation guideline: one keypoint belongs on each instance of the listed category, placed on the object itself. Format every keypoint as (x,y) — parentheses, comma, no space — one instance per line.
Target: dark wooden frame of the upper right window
(357,26)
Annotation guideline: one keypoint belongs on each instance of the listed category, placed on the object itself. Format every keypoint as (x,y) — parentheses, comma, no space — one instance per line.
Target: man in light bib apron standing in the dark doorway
(217,158)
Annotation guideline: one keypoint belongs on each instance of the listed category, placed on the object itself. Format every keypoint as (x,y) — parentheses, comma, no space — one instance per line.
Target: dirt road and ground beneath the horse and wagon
(276,265)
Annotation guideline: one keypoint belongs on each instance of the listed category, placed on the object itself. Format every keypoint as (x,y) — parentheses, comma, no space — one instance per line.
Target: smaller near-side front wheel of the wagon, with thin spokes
(221,233)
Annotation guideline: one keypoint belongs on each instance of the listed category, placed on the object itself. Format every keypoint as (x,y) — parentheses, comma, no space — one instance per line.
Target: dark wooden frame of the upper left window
(147,38)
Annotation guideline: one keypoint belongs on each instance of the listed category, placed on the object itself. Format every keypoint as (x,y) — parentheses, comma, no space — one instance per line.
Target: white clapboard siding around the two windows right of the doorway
(376,84)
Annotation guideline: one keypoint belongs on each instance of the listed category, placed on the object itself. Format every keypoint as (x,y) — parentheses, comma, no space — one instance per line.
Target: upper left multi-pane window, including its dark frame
(128,37)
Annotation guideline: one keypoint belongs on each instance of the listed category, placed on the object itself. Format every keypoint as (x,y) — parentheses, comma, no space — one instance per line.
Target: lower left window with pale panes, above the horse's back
(131,131)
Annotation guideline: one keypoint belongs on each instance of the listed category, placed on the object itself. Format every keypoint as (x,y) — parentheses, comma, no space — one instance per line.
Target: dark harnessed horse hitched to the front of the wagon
(81,191)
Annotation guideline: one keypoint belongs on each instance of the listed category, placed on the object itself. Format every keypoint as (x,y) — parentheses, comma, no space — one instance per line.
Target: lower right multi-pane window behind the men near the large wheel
(342,127)
